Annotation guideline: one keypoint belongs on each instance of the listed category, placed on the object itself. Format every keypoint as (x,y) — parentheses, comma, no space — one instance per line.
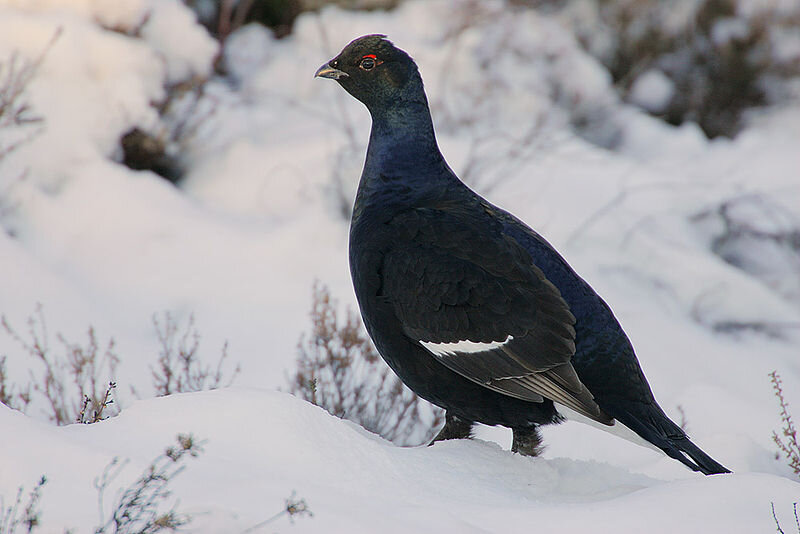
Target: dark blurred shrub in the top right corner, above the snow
(721,57)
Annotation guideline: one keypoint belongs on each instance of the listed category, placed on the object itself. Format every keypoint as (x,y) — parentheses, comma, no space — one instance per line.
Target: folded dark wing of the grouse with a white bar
(473,298)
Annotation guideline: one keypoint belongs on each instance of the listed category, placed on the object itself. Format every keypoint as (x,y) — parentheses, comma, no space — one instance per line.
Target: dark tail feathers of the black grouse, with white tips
(659,430)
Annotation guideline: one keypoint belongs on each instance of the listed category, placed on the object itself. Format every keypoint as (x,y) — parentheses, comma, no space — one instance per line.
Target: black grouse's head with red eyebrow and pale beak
(374,71)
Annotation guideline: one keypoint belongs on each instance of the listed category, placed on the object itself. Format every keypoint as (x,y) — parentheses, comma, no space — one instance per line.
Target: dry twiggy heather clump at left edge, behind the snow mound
(73,383)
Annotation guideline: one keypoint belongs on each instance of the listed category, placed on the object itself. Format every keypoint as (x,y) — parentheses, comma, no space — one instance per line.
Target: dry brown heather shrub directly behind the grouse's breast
(339,370)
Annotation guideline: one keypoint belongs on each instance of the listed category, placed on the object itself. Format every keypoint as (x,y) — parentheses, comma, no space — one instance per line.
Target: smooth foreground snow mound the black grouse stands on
(260,446)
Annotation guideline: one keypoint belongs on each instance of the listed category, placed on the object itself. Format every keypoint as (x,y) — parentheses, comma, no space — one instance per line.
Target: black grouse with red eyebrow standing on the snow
(472,309)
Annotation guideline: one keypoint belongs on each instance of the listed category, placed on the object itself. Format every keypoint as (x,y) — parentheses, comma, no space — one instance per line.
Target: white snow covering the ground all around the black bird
(258,217)
